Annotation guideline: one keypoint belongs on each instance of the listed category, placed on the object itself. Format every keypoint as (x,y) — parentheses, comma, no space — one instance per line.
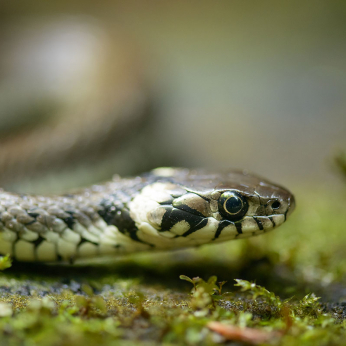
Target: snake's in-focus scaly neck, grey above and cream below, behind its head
(90,223)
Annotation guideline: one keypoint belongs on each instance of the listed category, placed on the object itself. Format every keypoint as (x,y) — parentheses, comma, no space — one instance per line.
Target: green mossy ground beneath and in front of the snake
(140,300)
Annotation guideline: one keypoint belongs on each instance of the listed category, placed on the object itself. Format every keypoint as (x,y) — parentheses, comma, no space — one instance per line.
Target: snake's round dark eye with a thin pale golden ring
(232,205)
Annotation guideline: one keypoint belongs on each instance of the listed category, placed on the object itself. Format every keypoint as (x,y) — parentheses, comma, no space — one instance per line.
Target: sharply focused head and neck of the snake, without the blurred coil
(164,209)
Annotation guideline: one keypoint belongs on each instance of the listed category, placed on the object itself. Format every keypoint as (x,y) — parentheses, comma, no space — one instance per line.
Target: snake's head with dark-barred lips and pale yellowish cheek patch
(181,207)
